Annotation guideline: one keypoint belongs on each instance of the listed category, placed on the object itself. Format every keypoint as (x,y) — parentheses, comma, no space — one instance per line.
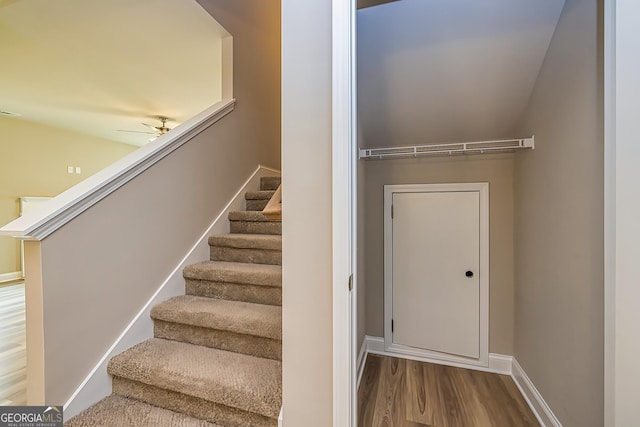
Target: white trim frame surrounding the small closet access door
(483,189)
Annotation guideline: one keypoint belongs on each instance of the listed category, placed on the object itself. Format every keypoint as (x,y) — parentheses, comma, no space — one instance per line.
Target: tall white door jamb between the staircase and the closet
(344,216)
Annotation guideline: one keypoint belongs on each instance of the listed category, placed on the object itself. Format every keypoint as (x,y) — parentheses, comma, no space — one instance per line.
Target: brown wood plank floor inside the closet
(397,392)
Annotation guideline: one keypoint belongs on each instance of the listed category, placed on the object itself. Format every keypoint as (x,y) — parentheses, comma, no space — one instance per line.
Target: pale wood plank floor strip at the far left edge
(13,362)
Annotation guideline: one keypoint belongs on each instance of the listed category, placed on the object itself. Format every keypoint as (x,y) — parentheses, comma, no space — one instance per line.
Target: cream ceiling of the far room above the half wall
(96,66)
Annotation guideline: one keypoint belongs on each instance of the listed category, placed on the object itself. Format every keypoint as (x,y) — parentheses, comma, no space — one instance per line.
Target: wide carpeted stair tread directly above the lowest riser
(236,380)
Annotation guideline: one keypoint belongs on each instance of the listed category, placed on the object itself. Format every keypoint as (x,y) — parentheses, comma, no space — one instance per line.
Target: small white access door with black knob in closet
(436,270)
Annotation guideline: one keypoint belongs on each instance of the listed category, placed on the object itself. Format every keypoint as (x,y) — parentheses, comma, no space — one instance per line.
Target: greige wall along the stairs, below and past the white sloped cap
(102,267)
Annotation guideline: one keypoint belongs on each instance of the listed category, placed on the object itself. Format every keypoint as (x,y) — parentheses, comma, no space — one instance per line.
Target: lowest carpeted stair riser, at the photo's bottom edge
(189,405)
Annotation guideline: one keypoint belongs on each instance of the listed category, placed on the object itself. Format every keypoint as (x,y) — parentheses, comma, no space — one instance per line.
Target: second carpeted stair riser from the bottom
(223,340)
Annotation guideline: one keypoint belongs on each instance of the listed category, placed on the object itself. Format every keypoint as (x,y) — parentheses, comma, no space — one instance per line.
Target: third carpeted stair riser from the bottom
(269,295)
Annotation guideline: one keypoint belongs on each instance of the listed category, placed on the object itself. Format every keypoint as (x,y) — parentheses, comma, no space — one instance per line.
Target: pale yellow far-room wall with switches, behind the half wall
(33,162)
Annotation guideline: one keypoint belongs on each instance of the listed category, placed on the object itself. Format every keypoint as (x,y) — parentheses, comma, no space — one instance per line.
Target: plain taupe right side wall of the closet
(559,224)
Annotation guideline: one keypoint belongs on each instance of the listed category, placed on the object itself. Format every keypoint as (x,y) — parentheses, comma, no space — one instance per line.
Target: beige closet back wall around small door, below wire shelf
(495,169)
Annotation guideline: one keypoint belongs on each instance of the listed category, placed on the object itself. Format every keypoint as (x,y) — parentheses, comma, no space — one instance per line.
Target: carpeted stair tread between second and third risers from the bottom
(234,316)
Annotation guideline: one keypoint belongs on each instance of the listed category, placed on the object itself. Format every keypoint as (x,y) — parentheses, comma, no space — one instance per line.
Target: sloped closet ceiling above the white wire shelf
(434,71)
